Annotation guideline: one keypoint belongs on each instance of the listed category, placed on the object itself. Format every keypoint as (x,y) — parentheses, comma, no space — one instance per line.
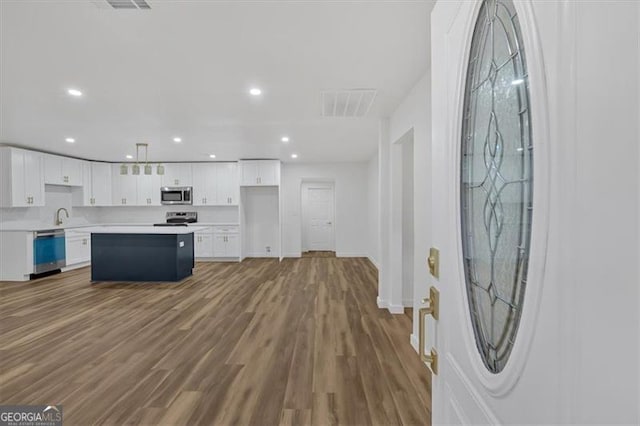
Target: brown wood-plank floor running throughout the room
(256,343)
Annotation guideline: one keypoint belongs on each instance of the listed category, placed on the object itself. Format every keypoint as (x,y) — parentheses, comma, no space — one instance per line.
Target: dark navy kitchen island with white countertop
(142,253)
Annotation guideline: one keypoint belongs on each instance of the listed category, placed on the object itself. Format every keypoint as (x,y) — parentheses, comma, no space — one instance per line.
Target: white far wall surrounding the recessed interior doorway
(352,216)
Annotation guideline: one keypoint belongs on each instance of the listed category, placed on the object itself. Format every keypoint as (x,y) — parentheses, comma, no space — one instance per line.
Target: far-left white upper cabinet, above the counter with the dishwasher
(21,179)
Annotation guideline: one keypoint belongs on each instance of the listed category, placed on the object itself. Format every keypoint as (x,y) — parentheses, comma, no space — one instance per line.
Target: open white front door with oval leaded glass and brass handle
(538,311)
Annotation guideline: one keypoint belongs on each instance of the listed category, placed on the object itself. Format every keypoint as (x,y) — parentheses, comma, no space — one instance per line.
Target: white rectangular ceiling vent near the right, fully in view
(351,103)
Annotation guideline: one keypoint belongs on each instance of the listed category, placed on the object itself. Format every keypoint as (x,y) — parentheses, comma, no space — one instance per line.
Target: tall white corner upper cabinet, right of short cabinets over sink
(96,185)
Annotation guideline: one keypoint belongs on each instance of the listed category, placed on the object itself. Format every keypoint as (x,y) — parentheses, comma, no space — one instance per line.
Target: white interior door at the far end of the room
(318,210)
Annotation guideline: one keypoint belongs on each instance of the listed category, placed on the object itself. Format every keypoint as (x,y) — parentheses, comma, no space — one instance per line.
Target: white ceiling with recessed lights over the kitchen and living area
(184,69)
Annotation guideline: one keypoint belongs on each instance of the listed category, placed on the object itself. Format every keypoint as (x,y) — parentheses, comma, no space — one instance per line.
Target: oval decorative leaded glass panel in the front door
(496,181)
